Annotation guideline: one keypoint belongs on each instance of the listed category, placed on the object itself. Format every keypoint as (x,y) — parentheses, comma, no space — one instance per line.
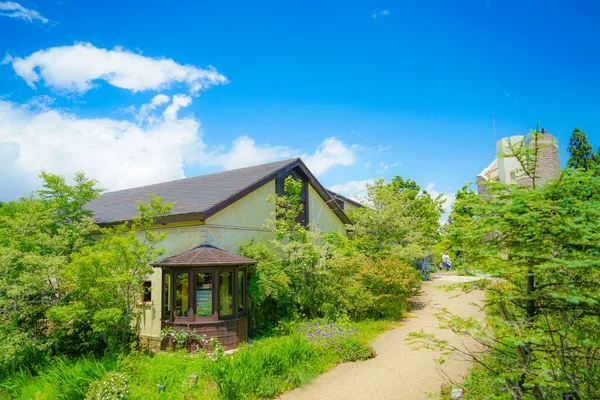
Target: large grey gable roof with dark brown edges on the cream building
(200,197)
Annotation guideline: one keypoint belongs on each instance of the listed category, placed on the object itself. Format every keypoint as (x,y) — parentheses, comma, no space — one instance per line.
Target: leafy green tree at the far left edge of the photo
(38,236)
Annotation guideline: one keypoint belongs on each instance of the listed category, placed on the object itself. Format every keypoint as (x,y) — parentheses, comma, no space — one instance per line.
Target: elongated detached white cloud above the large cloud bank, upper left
(76,68)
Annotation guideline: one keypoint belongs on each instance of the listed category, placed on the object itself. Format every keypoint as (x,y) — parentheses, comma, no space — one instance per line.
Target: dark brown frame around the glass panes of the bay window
(216,306)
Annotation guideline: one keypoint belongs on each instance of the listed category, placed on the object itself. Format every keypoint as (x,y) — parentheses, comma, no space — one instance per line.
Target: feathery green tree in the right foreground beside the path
(540,245)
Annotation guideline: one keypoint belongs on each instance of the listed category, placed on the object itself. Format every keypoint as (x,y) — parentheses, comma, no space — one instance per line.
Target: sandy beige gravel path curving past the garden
(398,371)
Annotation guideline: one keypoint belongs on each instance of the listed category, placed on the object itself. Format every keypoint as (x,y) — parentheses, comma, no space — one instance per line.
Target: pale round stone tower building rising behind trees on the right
(508,170)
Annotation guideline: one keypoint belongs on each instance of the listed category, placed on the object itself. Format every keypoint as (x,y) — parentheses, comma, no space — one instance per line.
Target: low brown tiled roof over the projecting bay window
(204,255)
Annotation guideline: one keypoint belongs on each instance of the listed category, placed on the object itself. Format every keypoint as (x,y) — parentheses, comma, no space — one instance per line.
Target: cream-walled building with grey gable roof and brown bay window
(201,282)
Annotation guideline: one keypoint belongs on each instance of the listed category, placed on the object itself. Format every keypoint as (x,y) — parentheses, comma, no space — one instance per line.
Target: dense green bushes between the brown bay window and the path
(284,289)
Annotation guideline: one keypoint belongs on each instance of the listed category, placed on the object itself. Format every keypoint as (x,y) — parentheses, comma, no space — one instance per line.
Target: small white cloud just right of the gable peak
(332,152)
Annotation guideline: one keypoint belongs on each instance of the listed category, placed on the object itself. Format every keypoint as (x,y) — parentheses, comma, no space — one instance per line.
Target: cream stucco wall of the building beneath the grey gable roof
(228,229)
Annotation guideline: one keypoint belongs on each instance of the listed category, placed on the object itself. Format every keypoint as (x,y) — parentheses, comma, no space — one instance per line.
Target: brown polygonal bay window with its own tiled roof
(205,289)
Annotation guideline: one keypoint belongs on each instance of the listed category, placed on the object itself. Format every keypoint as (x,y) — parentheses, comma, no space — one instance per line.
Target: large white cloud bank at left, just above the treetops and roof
(120,154)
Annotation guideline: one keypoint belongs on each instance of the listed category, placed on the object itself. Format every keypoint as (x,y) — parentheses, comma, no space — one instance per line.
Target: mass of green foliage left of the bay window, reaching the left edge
(67,287)
